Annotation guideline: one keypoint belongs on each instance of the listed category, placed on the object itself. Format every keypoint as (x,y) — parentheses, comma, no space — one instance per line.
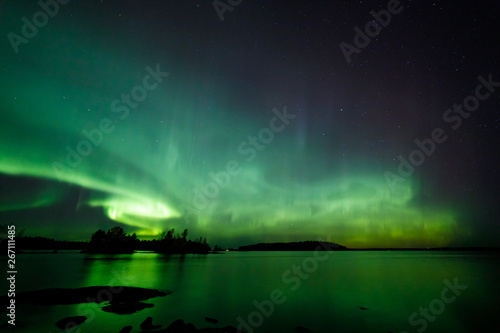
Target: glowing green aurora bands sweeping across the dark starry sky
(150,166)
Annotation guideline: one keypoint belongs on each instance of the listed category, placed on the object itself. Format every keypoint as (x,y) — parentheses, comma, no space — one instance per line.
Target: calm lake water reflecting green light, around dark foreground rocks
(324,296)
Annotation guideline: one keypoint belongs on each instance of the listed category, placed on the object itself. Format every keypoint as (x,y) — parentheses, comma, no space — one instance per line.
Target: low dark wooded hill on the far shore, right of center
(294,246)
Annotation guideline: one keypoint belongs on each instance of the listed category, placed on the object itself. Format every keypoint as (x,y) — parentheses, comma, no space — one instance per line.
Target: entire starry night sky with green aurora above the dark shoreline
(154,115)
